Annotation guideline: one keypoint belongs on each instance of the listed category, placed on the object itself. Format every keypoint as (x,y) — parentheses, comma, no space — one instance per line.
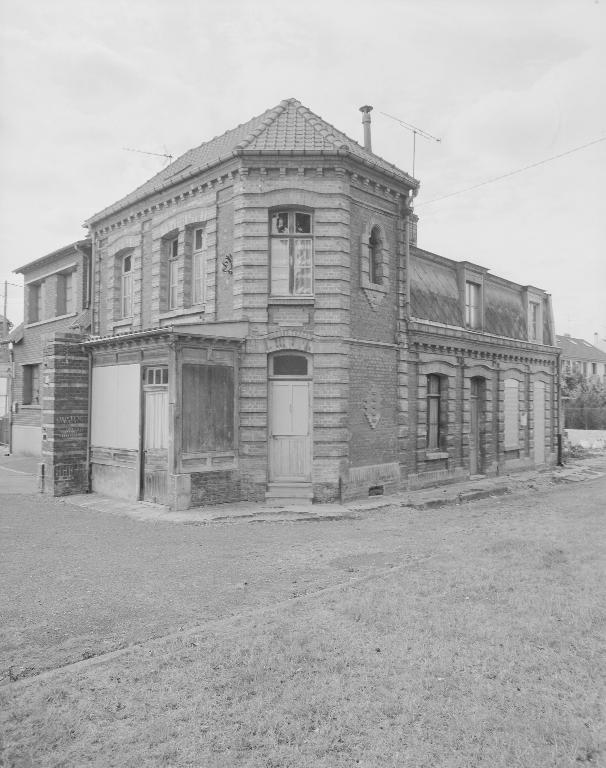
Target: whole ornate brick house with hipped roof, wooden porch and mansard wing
(264,326)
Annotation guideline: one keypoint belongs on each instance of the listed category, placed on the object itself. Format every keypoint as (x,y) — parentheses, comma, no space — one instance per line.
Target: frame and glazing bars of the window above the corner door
(292,237)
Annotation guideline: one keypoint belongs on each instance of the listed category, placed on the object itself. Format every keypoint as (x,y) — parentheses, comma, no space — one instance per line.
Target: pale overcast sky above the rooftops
(503,83)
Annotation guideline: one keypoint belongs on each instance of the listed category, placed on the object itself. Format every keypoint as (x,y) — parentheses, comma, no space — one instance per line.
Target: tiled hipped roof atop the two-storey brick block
(289,127)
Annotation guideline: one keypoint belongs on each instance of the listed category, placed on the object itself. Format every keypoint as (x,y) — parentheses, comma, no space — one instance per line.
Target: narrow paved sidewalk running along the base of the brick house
(428,498)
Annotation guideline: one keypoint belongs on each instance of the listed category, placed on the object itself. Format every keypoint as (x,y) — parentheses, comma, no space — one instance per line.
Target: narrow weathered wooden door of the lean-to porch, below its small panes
(155,444)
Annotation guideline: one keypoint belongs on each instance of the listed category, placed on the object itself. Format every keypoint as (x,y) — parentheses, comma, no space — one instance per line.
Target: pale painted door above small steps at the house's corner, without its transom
(290,433)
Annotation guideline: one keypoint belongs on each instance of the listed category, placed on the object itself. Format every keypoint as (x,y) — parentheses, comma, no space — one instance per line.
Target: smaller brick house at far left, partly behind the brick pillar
(56,299)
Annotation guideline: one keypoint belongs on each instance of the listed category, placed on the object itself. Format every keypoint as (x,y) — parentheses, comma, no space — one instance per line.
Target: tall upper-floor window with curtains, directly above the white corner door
(291,254)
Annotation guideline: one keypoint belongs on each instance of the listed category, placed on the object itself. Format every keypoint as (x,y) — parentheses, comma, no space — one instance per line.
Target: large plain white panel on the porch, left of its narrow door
(115,406)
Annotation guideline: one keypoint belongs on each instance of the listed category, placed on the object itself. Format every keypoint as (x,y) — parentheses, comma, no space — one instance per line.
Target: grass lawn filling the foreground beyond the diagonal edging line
(488,650)
